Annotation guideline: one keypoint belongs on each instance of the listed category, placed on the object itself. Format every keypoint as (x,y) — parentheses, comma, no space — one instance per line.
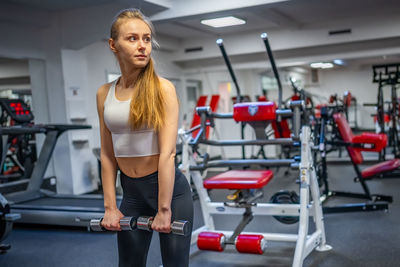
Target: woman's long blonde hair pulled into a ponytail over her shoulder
(147,104)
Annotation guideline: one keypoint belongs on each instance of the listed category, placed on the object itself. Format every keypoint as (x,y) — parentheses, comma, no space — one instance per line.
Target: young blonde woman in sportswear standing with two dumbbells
(138,116)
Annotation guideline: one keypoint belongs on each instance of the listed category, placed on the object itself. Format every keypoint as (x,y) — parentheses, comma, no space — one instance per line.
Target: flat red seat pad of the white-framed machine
(239,179)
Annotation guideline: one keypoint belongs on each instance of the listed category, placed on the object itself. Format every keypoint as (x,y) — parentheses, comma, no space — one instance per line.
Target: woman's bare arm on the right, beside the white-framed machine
(166,166)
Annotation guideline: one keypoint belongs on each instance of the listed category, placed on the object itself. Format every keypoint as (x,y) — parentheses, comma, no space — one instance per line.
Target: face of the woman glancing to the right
(133,45)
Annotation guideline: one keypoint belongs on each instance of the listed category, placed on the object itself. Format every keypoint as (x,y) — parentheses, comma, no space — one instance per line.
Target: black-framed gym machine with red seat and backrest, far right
(341,136)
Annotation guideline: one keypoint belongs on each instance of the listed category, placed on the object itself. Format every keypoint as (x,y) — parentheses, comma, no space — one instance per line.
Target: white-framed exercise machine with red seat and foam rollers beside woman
(248,184)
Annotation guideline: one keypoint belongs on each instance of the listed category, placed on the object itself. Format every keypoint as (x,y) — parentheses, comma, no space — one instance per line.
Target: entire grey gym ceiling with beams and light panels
(180,19)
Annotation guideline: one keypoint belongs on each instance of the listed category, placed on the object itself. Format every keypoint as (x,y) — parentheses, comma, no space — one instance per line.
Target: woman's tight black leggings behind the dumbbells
(140,199)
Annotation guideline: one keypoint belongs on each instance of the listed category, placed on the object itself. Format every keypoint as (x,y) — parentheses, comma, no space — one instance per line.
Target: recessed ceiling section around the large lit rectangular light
(287,14)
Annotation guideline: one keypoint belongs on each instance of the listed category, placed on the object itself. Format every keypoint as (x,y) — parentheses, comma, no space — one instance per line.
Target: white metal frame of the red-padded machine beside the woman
(305,242)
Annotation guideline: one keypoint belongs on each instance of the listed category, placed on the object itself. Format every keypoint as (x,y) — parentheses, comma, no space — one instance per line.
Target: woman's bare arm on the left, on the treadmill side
(108,166)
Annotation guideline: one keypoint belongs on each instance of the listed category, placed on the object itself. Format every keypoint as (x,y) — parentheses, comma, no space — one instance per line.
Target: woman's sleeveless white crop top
(127,142)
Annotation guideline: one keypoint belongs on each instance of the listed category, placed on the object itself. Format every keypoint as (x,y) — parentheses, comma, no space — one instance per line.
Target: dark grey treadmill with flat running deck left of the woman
(40,206)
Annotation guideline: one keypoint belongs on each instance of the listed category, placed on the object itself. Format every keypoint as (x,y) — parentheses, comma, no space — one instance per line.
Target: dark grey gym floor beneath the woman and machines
(358,238)
